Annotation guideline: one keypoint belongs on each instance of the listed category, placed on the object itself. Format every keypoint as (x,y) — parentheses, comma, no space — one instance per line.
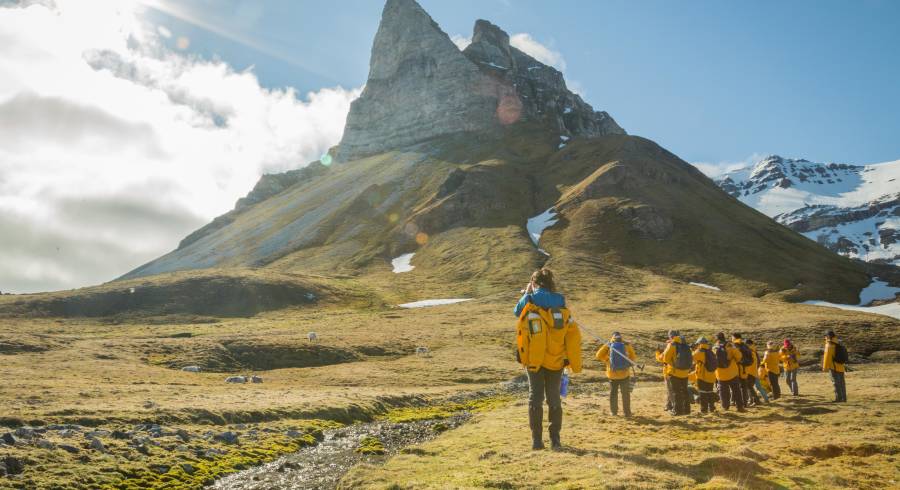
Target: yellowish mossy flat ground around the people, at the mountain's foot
(114,373)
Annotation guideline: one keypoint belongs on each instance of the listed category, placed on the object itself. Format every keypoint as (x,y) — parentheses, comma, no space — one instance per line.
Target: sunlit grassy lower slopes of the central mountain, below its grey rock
(461,204)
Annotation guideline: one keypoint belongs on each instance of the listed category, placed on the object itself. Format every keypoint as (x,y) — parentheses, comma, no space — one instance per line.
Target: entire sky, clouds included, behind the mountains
(127,124)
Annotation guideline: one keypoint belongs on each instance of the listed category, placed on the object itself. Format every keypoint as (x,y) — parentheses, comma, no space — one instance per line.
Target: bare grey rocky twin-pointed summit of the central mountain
(421,86)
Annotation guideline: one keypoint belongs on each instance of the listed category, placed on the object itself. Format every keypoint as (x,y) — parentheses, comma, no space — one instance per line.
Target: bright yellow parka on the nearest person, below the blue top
(547,338)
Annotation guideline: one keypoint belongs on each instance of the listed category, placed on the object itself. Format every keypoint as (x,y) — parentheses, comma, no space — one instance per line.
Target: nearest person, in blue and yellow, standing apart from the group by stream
(547,341)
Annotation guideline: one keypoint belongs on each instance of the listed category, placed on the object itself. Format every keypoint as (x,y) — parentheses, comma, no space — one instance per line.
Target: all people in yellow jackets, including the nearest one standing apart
(727,370)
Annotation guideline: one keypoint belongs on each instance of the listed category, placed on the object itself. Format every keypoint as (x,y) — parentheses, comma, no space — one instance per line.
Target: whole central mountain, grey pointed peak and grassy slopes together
(451,155)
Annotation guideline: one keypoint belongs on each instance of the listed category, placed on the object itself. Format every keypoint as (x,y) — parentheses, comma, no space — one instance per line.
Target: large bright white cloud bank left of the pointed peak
(113,147)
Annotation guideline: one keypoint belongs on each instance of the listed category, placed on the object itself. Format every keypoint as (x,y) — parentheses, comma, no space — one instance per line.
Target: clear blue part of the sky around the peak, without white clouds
(711,81)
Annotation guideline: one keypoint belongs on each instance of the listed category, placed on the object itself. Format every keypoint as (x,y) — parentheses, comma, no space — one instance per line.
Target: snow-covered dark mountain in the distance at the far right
(852,209)
